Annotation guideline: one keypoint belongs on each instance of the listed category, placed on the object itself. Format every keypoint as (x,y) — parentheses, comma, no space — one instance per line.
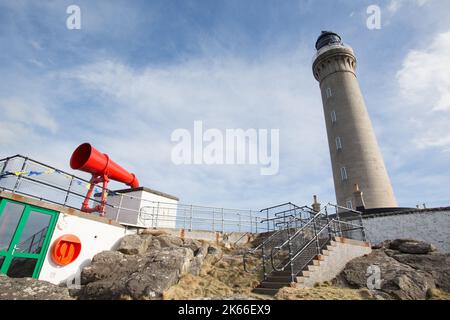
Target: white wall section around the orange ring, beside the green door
(95,237)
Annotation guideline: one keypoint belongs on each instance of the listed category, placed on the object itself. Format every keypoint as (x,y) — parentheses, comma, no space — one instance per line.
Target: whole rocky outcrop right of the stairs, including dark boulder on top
(409,270)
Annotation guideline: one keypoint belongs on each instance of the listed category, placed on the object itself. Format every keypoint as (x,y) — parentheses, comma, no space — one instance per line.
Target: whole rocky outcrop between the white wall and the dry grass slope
(143,267)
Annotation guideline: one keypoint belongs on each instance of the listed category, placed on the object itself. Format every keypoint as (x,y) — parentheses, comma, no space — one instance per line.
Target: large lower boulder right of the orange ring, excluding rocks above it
(135,276)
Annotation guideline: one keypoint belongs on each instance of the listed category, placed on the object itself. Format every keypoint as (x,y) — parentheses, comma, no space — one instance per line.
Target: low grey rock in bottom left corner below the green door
(31,289)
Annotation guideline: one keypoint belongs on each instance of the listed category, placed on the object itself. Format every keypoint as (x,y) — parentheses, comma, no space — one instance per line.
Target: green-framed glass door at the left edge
(25,233)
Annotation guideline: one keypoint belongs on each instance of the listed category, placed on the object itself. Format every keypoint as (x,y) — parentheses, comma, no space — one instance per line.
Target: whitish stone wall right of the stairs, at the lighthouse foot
(432,226)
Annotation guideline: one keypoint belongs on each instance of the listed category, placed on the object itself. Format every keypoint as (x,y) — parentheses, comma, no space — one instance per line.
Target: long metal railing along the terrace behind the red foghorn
(25,176)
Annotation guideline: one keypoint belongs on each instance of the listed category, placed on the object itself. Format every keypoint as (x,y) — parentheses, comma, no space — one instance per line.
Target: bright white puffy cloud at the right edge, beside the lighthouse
(424,83)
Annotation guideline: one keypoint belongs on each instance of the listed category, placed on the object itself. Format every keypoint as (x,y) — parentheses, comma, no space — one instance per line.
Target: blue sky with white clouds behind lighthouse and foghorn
(138,70)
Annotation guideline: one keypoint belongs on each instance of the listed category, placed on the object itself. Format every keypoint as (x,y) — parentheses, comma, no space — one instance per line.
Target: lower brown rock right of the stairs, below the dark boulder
(398,280)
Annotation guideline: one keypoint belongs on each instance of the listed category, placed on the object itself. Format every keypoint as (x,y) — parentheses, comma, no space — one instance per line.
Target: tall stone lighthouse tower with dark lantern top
(355,156)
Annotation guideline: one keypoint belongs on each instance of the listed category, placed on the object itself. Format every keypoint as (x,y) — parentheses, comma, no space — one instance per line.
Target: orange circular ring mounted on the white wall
(65,249)
